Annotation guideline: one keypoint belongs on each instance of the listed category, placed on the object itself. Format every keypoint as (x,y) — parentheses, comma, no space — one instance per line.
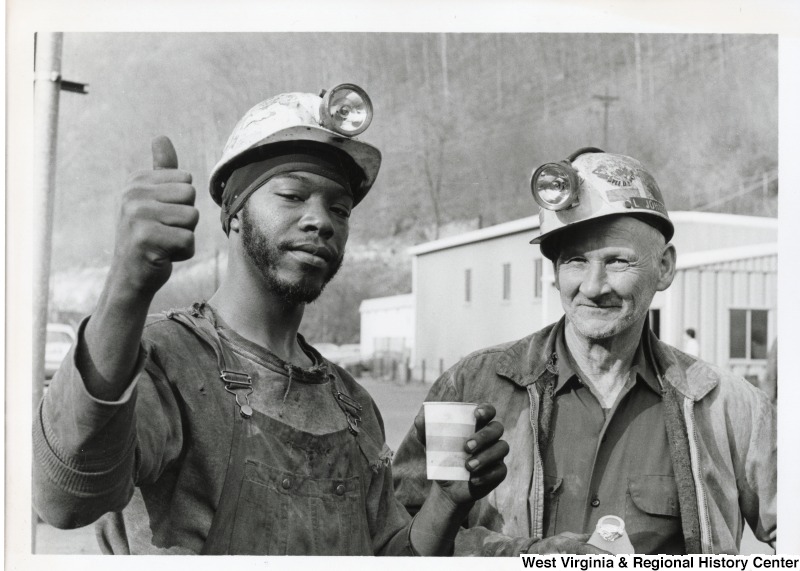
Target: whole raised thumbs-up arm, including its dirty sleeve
(85,443)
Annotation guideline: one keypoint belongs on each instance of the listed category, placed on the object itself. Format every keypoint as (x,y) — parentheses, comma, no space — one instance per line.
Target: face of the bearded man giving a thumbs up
(294,231)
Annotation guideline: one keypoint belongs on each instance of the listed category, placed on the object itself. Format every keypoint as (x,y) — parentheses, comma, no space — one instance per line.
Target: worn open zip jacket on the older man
(722,441)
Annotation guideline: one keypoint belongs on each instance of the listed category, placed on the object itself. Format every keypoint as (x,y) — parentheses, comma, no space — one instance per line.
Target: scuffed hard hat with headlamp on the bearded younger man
(331,119)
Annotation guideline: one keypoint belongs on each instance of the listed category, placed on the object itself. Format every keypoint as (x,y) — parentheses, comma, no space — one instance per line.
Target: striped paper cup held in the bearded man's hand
(448,425)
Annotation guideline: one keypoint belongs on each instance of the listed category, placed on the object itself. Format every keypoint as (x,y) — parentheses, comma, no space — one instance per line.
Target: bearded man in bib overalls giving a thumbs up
(218,429)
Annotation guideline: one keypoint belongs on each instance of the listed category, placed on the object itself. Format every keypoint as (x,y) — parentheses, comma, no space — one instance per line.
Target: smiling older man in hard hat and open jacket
(603,418)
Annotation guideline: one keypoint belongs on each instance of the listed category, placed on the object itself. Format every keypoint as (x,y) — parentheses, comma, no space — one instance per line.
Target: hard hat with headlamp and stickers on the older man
(591,184)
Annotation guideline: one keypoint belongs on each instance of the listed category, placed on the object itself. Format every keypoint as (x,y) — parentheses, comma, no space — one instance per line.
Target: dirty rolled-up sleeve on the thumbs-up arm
(89,454)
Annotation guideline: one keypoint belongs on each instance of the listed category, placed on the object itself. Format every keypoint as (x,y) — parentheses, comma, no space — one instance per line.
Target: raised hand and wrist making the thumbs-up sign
(156,225)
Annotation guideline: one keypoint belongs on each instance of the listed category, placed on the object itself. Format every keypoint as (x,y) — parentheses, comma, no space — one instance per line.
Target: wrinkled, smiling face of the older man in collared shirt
(608,271)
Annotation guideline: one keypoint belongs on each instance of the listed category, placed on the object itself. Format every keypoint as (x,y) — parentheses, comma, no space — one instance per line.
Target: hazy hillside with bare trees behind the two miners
(461,119)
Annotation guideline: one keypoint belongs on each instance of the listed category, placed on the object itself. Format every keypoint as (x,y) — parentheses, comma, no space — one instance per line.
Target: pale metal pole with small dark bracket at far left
(47,87)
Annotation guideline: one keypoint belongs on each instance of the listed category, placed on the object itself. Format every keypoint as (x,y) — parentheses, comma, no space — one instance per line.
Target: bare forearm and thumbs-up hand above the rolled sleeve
(156,228)
